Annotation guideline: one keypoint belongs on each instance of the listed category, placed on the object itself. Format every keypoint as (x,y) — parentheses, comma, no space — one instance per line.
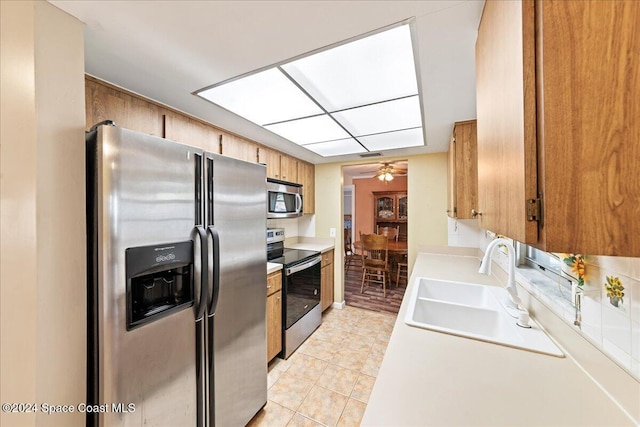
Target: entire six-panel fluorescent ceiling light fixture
(360,96)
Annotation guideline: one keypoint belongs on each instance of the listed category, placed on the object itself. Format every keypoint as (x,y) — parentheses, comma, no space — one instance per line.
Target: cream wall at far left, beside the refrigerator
(42,220)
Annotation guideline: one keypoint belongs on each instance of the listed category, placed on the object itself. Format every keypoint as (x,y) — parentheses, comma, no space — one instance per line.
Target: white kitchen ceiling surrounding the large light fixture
(166,50)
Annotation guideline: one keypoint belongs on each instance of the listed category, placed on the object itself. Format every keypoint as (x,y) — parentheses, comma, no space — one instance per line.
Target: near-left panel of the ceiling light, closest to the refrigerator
(265,97)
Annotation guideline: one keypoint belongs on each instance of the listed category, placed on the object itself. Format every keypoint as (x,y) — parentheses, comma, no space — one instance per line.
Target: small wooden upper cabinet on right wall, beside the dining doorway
(463,171)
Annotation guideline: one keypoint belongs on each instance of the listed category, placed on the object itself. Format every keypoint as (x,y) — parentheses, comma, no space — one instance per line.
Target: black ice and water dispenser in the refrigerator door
(159,281)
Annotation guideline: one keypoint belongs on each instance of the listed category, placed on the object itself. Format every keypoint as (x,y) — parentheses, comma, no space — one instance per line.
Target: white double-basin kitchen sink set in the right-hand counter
(473,311)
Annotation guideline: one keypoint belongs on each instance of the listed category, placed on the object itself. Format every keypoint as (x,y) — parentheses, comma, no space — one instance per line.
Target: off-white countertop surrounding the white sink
(429,378)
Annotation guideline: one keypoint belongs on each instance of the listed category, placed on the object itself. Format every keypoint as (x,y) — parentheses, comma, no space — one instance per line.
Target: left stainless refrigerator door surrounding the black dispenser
(144,195)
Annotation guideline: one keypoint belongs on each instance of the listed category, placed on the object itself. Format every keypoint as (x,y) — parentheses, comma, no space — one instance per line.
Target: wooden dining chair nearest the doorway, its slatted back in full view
(375,260)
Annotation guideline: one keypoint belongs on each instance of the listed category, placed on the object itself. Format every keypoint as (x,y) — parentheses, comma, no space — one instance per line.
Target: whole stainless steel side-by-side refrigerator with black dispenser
(176,283)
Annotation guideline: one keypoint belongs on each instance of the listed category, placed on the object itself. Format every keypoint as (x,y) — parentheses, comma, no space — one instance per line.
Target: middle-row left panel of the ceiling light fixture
(309,130)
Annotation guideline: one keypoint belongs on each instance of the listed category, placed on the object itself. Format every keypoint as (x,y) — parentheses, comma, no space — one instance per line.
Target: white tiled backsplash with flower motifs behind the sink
(615,330)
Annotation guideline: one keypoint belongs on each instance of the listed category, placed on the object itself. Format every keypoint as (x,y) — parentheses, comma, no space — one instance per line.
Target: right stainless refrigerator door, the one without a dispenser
(237,329)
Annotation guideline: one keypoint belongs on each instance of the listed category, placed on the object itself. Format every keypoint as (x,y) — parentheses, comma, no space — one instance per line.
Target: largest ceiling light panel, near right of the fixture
(365,71)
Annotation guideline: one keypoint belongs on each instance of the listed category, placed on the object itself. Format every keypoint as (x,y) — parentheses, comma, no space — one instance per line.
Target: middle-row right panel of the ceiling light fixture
(383,117)
